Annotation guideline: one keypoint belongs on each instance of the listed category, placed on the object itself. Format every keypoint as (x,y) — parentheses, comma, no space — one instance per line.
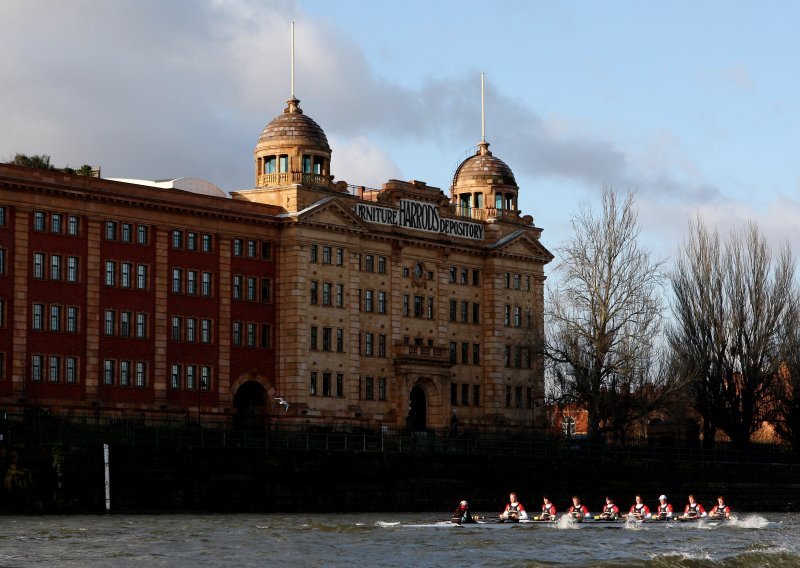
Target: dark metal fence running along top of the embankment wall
(33,428)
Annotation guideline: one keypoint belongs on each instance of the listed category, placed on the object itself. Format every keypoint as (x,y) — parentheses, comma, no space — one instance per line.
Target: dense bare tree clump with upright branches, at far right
(732,327)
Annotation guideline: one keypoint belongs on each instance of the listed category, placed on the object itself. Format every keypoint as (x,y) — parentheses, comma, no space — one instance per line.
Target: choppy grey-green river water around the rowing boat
(353,540)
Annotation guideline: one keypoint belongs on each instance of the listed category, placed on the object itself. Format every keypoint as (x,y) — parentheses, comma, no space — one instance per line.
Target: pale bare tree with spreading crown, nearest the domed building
(604,317)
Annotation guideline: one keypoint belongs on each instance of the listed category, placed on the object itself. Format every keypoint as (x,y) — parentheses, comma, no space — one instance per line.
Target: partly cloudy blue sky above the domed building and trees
(692,105)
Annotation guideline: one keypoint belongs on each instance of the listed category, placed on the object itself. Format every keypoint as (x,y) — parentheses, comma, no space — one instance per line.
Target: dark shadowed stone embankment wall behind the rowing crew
(58,479)
